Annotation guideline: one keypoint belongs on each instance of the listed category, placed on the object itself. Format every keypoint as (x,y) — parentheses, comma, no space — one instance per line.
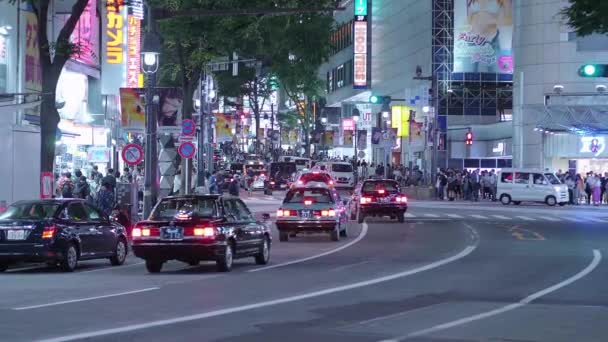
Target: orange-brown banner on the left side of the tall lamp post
(132,110)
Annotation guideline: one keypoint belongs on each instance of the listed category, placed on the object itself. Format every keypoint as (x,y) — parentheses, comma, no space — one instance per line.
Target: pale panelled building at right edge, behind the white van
(559,117)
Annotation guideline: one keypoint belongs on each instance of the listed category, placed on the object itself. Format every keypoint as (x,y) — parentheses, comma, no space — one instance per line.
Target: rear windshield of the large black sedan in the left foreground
(170,207)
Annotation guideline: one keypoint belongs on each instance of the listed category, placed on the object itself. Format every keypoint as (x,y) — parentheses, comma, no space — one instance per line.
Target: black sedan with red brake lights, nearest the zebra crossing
(380,197)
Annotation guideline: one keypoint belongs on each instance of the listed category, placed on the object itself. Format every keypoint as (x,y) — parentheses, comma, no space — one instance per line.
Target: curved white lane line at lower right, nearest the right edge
(597,257)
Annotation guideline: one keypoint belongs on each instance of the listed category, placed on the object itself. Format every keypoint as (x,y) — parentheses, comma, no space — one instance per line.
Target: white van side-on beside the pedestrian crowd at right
(531,185)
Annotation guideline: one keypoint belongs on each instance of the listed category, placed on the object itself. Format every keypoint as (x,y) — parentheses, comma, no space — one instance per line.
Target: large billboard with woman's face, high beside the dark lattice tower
(483,31)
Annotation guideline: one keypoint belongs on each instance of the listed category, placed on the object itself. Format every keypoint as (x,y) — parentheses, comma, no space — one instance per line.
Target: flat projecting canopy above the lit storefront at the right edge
(581,119)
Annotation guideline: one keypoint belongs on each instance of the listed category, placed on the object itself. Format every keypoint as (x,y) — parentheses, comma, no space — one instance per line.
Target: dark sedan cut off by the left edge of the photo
(59,232)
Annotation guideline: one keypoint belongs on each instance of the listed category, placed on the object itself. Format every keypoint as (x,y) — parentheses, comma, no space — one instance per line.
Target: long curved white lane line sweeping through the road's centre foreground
(222,312)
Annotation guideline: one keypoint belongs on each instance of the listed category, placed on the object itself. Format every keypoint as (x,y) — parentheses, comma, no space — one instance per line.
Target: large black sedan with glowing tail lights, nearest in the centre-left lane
(201,227)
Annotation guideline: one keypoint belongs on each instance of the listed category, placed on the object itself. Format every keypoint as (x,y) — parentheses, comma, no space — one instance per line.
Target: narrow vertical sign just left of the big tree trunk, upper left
(33,72)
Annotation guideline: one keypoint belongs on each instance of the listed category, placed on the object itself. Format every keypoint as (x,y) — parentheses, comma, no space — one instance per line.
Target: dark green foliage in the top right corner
(587,16)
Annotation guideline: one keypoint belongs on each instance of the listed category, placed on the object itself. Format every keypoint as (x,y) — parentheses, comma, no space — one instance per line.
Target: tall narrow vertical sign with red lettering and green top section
(360,63)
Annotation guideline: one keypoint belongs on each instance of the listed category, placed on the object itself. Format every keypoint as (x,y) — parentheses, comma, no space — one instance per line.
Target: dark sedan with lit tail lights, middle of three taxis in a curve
(312,209)
